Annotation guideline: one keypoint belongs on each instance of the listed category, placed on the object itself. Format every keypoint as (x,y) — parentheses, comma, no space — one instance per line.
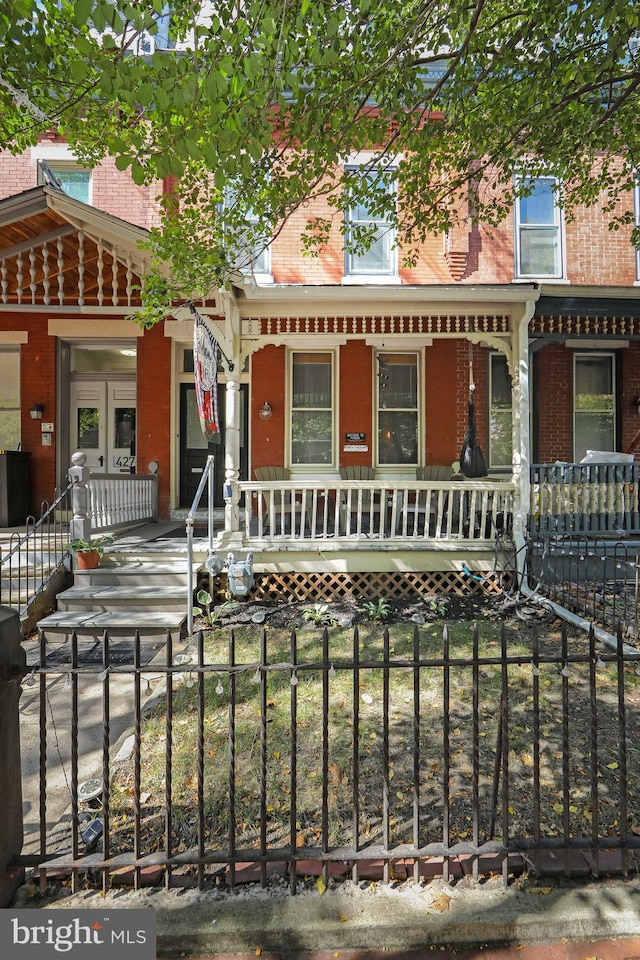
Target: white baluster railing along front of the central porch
(402,511)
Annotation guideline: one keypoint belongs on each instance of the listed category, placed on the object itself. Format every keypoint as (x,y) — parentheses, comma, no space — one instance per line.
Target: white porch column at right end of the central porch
(521,433)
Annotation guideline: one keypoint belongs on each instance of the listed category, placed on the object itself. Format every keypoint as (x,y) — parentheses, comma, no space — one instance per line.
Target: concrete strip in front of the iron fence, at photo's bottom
(353,921)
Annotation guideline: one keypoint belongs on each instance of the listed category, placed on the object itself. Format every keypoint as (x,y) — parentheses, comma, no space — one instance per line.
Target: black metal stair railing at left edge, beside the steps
(53,534)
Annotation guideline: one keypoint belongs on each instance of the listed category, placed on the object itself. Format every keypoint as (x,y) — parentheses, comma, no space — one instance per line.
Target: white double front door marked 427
(103,424)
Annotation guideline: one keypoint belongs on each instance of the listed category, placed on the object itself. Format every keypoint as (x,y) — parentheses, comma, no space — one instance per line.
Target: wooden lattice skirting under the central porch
(324,587)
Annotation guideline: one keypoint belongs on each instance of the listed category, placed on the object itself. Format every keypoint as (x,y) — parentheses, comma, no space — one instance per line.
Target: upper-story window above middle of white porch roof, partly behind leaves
(363,220)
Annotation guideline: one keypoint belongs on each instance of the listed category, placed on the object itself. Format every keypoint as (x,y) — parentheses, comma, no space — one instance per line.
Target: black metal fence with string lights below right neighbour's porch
(598,579)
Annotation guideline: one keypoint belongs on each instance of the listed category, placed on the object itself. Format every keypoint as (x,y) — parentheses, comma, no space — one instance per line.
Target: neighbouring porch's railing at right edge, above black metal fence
(585,498)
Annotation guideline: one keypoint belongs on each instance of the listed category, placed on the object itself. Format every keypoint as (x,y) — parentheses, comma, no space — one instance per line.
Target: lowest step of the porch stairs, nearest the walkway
(90,623)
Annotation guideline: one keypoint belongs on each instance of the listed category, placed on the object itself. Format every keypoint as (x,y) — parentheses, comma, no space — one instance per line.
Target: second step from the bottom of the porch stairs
(115,597)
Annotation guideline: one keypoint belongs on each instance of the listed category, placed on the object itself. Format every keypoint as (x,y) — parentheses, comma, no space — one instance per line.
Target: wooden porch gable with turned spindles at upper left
(59,252)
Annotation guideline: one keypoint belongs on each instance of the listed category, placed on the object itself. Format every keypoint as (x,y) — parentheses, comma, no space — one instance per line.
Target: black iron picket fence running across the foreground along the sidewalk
(432,750)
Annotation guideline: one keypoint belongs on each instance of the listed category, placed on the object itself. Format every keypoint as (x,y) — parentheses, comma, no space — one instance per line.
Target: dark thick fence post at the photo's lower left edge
(12,670)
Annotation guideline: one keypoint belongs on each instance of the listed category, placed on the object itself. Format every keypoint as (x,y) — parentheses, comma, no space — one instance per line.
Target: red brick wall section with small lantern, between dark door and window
(268,384)
